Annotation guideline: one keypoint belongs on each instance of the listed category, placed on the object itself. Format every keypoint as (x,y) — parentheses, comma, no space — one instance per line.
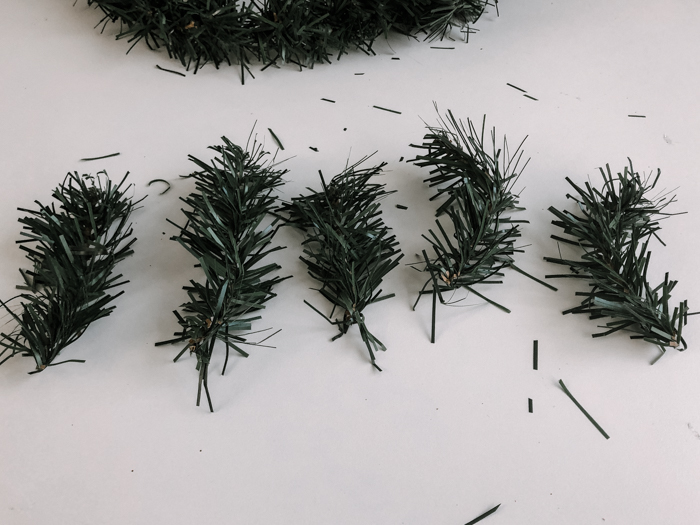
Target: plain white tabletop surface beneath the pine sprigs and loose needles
(308,432)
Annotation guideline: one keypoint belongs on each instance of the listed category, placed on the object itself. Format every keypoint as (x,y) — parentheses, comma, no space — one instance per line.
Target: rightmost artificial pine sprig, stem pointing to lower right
(613,227)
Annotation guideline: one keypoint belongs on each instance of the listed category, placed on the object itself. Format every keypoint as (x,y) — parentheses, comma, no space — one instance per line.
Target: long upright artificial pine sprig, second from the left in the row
(224,232)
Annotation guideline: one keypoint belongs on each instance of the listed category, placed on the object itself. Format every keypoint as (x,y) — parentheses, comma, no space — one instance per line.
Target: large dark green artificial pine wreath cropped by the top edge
(301,32)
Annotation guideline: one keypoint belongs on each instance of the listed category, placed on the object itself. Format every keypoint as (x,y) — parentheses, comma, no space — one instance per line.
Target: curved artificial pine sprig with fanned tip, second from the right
(478,191)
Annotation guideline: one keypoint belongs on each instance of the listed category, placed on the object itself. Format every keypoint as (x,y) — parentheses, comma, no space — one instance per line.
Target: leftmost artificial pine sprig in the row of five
(73,249)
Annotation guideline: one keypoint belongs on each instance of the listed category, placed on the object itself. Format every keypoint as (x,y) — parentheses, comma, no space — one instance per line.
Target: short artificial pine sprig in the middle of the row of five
(348,248)
